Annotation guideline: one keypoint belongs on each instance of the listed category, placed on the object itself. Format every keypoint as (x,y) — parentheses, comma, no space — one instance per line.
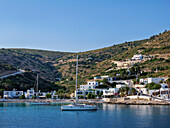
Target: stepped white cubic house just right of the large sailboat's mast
(90,85)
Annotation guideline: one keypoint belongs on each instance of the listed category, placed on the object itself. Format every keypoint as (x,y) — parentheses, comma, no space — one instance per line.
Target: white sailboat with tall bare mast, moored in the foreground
(76,106)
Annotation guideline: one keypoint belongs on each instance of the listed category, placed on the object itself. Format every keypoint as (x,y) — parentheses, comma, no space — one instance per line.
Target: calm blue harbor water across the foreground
(25,115)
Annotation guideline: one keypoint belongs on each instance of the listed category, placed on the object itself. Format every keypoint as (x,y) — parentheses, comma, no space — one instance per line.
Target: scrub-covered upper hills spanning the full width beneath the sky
(51,65)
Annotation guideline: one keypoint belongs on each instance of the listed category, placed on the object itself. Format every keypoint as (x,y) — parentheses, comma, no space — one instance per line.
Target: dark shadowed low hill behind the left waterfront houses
(26,81)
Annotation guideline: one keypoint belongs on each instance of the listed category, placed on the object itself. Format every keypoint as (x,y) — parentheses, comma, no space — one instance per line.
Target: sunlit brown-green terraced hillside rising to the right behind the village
(96,62)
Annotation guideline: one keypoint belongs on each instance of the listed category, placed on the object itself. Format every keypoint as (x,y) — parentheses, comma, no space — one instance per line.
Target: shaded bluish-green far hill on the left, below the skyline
(30,59)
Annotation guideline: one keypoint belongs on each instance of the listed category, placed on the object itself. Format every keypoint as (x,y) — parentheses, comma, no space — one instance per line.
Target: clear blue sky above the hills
(79,25)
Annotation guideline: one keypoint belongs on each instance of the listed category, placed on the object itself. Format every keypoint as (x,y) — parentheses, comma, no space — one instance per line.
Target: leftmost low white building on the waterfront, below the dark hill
(12,94)
